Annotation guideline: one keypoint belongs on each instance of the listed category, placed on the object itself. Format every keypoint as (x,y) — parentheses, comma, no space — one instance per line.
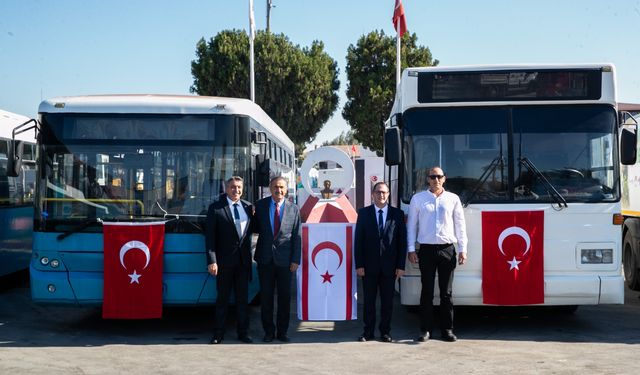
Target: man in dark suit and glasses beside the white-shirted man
(380,252)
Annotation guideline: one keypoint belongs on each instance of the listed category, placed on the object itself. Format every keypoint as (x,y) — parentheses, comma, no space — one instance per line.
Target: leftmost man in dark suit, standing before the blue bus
(228,241)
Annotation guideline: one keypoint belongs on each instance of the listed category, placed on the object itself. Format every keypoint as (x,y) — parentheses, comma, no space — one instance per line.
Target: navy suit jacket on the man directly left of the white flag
(286,247)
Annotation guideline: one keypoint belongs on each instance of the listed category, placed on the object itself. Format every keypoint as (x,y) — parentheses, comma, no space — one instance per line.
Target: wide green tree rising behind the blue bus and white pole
(297,87)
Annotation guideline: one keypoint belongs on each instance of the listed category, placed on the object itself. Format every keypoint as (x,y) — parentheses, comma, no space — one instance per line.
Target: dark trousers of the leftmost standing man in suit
(237,279)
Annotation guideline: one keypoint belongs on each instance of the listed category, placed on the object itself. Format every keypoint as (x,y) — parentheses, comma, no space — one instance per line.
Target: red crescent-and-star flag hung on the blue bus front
(133,270)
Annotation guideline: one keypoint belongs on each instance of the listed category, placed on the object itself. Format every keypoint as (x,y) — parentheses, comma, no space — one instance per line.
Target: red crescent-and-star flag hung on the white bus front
(513,258)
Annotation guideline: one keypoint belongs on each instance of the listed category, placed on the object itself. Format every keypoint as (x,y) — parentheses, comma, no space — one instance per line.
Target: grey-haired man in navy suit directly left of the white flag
(277,223)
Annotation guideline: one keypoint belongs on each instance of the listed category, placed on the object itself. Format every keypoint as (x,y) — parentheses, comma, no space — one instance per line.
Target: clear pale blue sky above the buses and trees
(51,48)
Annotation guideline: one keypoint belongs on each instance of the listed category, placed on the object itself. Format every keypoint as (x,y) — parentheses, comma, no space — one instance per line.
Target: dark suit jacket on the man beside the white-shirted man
(380,255)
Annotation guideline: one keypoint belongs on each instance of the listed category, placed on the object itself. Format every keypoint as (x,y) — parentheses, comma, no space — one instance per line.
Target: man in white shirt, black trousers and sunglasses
(436,223)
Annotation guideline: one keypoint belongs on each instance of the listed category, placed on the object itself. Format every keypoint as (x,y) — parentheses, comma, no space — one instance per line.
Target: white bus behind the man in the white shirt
(525,138)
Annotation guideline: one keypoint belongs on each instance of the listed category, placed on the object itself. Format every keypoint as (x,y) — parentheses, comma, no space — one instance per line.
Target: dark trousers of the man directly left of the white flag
(275,280)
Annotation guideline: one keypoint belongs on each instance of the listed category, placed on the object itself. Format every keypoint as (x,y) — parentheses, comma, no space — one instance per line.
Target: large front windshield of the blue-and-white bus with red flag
(137,167)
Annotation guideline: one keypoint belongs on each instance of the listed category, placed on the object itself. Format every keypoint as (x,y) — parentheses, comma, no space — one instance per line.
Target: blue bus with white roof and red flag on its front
(137,158)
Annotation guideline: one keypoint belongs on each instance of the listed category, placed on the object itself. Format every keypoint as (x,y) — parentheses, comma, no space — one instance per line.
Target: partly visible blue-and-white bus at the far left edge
(16,198)
